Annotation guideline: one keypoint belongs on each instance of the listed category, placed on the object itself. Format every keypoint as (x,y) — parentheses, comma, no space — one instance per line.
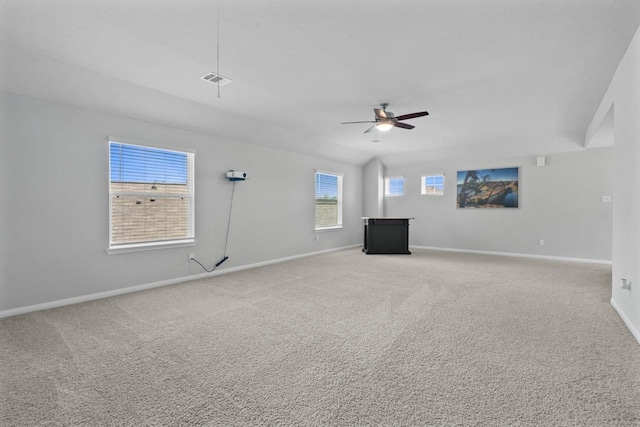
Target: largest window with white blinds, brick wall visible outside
(151,197)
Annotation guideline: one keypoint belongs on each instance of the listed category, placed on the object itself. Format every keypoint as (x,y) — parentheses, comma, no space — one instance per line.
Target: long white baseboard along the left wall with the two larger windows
(106,294)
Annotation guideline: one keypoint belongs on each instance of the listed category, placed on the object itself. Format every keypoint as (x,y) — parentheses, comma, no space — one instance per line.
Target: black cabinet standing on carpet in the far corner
(386,236)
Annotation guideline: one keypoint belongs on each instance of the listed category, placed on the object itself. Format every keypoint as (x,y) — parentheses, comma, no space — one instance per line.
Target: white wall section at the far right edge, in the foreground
(624,96)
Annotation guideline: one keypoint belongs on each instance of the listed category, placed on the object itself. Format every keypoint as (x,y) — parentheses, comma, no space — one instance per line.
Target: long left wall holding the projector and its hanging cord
(55,204)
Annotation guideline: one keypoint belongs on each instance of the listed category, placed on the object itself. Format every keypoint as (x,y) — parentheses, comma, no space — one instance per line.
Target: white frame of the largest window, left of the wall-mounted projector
(189,239)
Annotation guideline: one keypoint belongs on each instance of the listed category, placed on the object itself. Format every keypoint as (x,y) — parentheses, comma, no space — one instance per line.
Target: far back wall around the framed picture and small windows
(559,203)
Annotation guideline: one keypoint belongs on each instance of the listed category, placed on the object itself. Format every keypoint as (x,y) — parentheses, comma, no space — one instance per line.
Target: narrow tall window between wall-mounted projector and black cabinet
(328,201)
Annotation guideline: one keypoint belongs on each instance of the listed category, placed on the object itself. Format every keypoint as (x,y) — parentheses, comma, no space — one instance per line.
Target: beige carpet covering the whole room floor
(337,339)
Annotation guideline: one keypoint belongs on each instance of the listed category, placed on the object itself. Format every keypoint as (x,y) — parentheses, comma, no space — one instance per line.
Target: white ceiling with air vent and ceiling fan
(498,77)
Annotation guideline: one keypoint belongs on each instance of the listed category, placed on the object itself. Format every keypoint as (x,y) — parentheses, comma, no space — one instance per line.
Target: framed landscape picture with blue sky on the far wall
(488,188)
